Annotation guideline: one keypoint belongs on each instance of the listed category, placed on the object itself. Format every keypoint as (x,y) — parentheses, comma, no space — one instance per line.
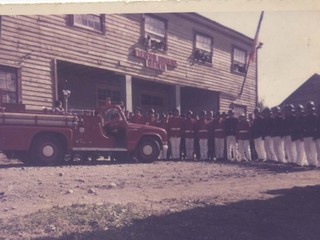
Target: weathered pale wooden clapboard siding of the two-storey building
(32,42)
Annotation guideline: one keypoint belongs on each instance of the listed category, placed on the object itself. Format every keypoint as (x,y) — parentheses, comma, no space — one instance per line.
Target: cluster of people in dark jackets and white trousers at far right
(291,134)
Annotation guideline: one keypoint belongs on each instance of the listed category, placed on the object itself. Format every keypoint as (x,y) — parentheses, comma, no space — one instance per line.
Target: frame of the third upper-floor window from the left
(196,50)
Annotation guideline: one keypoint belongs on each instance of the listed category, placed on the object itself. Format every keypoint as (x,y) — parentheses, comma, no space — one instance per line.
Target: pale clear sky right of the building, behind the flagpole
(290,53)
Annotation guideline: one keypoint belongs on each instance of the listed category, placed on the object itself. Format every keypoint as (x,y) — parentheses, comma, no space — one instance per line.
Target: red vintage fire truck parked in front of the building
(48,138)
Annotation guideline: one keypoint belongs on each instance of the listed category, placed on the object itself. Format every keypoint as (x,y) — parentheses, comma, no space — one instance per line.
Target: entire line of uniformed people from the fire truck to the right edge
(287,135)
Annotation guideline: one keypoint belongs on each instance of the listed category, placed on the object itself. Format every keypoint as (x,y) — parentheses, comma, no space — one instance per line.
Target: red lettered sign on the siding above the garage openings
(154,61)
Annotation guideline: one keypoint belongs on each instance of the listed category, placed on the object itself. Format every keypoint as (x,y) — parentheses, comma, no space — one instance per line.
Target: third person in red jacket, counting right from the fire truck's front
(202,131)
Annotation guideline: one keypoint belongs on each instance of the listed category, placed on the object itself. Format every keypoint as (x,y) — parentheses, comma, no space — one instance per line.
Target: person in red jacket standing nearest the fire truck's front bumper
(175,124)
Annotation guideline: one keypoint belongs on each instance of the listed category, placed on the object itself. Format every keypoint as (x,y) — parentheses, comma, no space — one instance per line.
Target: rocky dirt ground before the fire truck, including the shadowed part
(176,188)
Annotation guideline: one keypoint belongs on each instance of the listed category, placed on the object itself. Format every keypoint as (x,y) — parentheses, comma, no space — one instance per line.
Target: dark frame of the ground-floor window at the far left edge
(17,91)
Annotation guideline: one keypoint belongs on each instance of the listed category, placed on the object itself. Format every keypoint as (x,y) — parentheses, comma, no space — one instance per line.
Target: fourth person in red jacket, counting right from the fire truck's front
(219,136)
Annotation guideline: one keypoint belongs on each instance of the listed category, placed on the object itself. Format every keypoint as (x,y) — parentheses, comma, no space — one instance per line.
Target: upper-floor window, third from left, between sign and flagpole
(202,49)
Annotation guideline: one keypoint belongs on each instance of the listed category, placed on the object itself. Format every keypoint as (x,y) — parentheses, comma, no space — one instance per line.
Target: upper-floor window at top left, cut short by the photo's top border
(88,21)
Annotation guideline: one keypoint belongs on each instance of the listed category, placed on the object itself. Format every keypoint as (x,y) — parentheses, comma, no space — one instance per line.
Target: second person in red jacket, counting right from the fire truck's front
(189,133)
